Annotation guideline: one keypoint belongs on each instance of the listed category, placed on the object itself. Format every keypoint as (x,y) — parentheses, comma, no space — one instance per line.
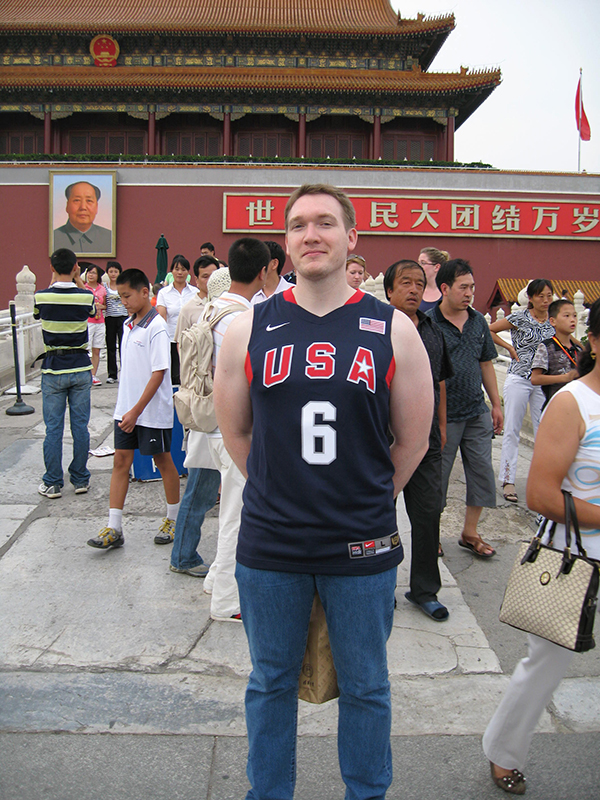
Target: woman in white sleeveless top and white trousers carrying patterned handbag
(566,456)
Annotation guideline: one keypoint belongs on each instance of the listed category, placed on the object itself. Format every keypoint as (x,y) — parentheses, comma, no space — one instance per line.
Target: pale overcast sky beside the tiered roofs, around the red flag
(528,122)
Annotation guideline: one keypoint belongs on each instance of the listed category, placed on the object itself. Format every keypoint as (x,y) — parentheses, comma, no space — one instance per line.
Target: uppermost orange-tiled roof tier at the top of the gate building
(330,17)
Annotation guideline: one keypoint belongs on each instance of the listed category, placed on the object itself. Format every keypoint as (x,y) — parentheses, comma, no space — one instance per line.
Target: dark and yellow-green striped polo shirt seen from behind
(64,309)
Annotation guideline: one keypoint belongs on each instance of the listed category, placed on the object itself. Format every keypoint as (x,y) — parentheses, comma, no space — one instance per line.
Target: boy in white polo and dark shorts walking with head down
(144,411)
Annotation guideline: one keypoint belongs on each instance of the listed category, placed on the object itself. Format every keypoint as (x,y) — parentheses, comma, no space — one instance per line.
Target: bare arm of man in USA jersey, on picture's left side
(232,391)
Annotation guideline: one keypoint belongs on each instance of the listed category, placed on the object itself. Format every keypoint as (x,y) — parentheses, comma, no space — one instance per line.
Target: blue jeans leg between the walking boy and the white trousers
(199,497)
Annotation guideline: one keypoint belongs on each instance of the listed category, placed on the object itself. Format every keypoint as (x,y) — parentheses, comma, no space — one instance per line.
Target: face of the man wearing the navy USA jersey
(316,239)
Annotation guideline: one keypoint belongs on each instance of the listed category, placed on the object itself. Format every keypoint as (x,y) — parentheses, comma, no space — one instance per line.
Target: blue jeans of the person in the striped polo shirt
(73,388)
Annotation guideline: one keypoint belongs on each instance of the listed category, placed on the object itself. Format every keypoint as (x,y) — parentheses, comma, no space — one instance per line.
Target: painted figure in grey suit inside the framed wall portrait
(80,234)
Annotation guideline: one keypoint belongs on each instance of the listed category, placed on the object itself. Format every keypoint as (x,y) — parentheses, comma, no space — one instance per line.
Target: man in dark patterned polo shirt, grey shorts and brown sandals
(469,425)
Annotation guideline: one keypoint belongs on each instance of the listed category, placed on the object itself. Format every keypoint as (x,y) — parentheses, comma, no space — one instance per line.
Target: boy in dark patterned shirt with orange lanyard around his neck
(555,361)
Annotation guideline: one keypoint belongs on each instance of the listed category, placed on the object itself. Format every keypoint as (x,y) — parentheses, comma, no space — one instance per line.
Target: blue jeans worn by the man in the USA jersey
(276,610)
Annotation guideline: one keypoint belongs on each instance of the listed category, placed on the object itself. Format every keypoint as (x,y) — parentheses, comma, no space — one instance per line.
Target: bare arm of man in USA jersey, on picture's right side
(411,400)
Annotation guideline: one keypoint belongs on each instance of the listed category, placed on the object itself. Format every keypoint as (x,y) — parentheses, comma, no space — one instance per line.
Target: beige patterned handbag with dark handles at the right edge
(553,593)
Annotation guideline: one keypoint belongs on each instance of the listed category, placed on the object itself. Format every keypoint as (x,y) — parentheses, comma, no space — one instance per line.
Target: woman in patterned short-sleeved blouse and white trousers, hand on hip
(528,329)
